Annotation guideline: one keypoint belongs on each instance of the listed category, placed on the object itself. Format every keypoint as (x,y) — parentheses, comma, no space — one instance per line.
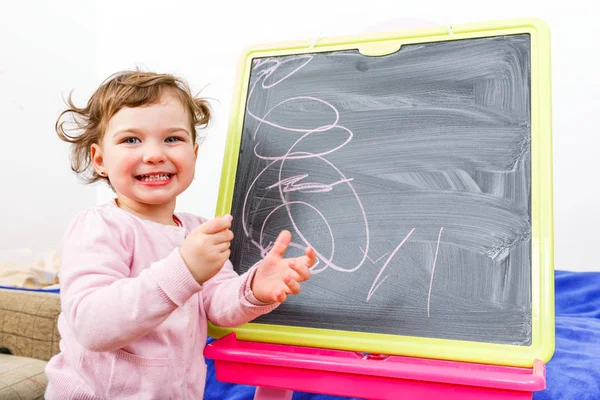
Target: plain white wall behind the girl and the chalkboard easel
(201,41)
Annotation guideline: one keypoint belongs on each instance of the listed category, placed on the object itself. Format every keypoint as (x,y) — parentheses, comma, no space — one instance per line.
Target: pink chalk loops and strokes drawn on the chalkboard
(266,69)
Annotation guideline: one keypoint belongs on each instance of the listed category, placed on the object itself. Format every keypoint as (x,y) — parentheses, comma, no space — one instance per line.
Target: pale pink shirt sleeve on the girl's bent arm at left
(104,306)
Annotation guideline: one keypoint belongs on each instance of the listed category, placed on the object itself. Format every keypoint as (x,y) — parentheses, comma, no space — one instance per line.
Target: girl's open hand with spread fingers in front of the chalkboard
(276,277)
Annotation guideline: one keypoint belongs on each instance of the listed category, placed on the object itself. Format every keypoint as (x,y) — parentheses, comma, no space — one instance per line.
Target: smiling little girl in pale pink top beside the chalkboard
(138,282)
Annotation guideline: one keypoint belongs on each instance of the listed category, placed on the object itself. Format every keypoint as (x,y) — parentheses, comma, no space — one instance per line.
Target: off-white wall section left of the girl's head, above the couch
(46,49)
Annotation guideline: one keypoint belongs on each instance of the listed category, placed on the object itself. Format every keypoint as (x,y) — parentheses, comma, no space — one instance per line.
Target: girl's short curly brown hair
(128,88)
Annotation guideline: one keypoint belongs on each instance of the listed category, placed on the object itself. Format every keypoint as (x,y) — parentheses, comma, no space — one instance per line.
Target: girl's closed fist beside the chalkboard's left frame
(206,249)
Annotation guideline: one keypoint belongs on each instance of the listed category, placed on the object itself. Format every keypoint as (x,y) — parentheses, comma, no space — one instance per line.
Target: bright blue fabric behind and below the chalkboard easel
(572,373)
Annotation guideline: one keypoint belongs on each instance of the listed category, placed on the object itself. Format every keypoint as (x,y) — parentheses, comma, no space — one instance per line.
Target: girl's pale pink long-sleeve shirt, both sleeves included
(134,321)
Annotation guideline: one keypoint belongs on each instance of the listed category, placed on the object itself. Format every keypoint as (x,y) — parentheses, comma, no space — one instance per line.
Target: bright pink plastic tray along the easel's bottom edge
(280,369)
